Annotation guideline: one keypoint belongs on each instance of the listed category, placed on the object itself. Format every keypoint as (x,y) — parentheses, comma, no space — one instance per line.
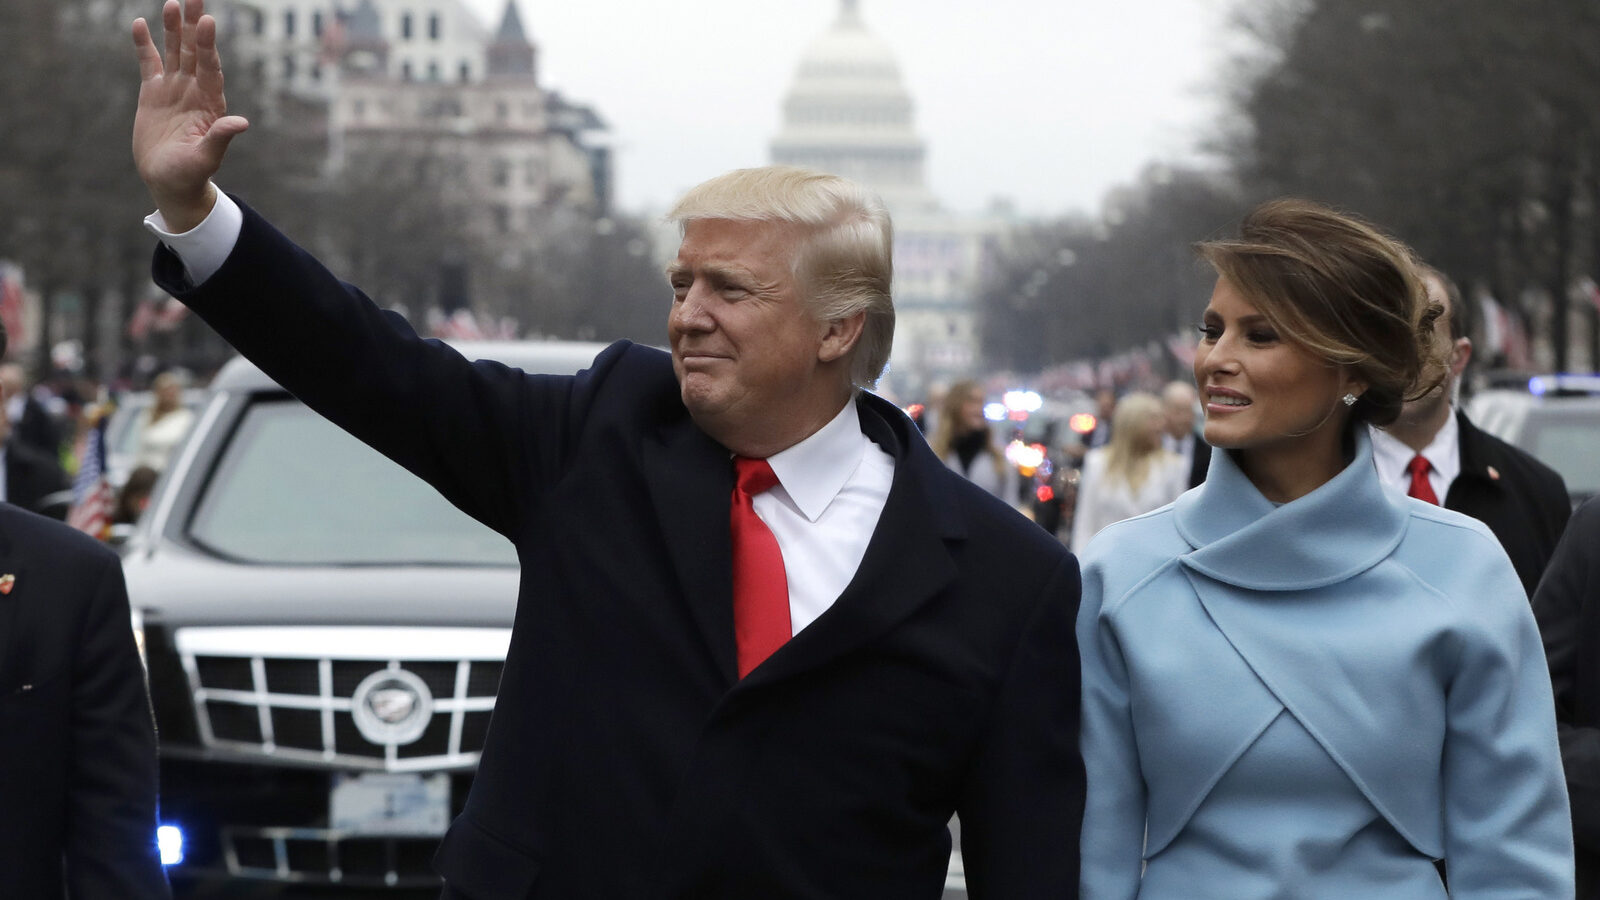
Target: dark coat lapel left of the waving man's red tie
(690,480)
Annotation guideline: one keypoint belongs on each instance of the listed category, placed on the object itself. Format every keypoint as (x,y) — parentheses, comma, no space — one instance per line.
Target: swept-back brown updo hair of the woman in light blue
(1346,292)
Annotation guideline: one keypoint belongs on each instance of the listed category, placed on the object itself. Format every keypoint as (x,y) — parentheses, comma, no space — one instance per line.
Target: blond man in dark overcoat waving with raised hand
(766,643)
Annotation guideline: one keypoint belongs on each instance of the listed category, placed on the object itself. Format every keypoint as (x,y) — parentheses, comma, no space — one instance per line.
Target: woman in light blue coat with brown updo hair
(1298,685)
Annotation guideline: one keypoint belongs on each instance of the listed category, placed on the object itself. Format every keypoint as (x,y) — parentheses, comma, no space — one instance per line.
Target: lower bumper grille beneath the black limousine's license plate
(316,856)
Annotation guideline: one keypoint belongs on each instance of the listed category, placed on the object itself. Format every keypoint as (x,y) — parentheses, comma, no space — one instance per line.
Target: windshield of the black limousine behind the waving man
(294,489)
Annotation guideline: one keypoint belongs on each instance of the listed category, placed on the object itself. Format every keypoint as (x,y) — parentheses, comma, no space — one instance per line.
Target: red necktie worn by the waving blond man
(761,590)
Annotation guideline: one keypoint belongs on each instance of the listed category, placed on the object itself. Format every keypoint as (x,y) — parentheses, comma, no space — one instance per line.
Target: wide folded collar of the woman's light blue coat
(1329,536)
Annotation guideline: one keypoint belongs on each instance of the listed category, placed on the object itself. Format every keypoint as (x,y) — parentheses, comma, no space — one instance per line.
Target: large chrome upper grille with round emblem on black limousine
(385,699)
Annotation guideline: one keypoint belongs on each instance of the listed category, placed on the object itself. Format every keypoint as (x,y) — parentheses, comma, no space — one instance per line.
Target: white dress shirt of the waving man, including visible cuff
(831,486)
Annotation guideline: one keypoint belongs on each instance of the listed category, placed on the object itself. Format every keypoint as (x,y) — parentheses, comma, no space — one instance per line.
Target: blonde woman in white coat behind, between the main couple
(1132,475)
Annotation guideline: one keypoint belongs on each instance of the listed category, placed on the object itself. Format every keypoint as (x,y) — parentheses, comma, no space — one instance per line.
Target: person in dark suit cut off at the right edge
(1567,606)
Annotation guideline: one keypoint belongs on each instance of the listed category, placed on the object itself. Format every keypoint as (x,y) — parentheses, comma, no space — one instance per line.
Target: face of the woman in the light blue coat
(1263,392)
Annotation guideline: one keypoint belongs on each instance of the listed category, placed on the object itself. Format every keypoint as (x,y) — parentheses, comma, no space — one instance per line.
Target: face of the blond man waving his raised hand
(745,347)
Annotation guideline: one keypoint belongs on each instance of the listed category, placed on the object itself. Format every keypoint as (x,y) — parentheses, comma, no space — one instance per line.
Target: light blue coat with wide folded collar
(1314,701)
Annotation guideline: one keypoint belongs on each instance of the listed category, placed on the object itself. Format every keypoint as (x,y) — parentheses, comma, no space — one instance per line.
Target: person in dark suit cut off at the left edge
(78,737)
